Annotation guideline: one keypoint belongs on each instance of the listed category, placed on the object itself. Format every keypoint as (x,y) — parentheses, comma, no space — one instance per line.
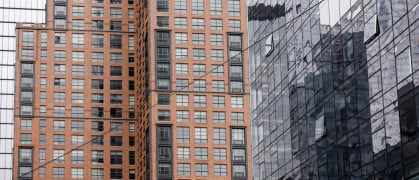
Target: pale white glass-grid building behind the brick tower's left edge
(11,12)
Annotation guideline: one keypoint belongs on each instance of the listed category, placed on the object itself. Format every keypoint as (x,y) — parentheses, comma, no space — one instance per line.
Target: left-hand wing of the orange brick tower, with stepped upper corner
(76,92)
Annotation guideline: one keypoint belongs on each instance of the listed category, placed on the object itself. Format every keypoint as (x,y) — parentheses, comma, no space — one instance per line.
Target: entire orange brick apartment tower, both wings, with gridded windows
(124,89)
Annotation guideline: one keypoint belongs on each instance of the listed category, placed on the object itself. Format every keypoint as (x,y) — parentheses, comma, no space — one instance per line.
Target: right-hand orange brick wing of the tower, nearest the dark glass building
(198,89)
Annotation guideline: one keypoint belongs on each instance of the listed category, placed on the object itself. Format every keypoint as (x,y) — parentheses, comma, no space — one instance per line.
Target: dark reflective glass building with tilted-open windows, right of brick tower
(334,89)
